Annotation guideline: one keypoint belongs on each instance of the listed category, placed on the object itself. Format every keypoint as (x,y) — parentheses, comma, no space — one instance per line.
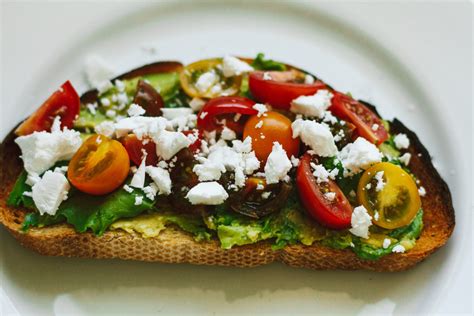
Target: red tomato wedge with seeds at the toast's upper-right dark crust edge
(368,124)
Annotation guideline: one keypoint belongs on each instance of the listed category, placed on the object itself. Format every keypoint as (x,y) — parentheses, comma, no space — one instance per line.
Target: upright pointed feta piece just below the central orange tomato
(277,165)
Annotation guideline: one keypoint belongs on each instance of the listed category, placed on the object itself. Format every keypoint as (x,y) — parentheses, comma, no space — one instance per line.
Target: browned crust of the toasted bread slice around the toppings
(176,246)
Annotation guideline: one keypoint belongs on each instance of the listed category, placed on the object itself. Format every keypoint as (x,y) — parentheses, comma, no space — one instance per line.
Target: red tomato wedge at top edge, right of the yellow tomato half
(279,94)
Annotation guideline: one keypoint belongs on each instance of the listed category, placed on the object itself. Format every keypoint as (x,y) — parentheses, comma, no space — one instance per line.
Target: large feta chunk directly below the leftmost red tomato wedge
(41,150)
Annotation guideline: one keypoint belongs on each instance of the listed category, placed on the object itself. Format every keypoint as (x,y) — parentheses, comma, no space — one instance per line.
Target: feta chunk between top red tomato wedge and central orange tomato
(312,105)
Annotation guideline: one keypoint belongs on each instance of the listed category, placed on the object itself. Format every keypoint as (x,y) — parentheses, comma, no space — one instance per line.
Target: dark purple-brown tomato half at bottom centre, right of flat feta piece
(250,202)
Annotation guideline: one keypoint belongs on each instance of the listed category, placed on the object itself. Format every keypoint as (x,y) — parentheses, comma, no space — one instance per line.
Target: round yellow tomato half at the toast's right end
(396,203)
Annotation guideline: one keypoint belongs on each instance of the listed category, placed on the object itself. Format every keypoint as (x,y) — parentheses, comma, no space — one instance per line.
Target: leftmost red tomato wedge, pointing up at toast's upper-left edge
(64,102)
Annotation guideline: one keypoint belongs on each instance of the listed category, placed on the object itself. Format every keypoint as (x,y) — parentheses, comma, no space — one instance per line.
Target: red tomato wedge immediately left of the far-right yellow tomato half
(334,214)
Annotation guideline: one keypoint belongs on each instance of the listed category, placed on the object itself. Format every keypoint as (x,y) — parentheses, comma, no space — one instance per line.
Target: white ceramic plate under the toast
(395,55)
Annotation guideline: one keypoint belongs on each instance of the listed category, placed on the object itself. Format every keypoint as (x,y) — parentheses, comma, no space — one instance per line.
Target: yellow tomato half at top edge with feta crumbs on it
(219,85)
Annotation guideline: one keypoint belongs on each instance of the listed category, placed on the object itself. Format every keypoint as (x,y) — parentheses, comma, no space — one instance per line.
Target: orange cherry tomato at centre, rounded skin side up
(267,129)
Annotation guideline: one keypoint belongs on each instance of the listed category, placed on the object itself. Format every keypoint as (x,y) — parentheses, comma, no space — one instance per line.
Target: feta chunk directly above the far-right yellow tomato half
(358,156)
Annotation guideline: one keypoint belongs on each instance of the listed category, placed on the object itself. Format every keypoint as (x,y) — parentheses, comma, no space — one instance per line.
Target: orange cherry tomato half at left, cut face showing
(100,165)
